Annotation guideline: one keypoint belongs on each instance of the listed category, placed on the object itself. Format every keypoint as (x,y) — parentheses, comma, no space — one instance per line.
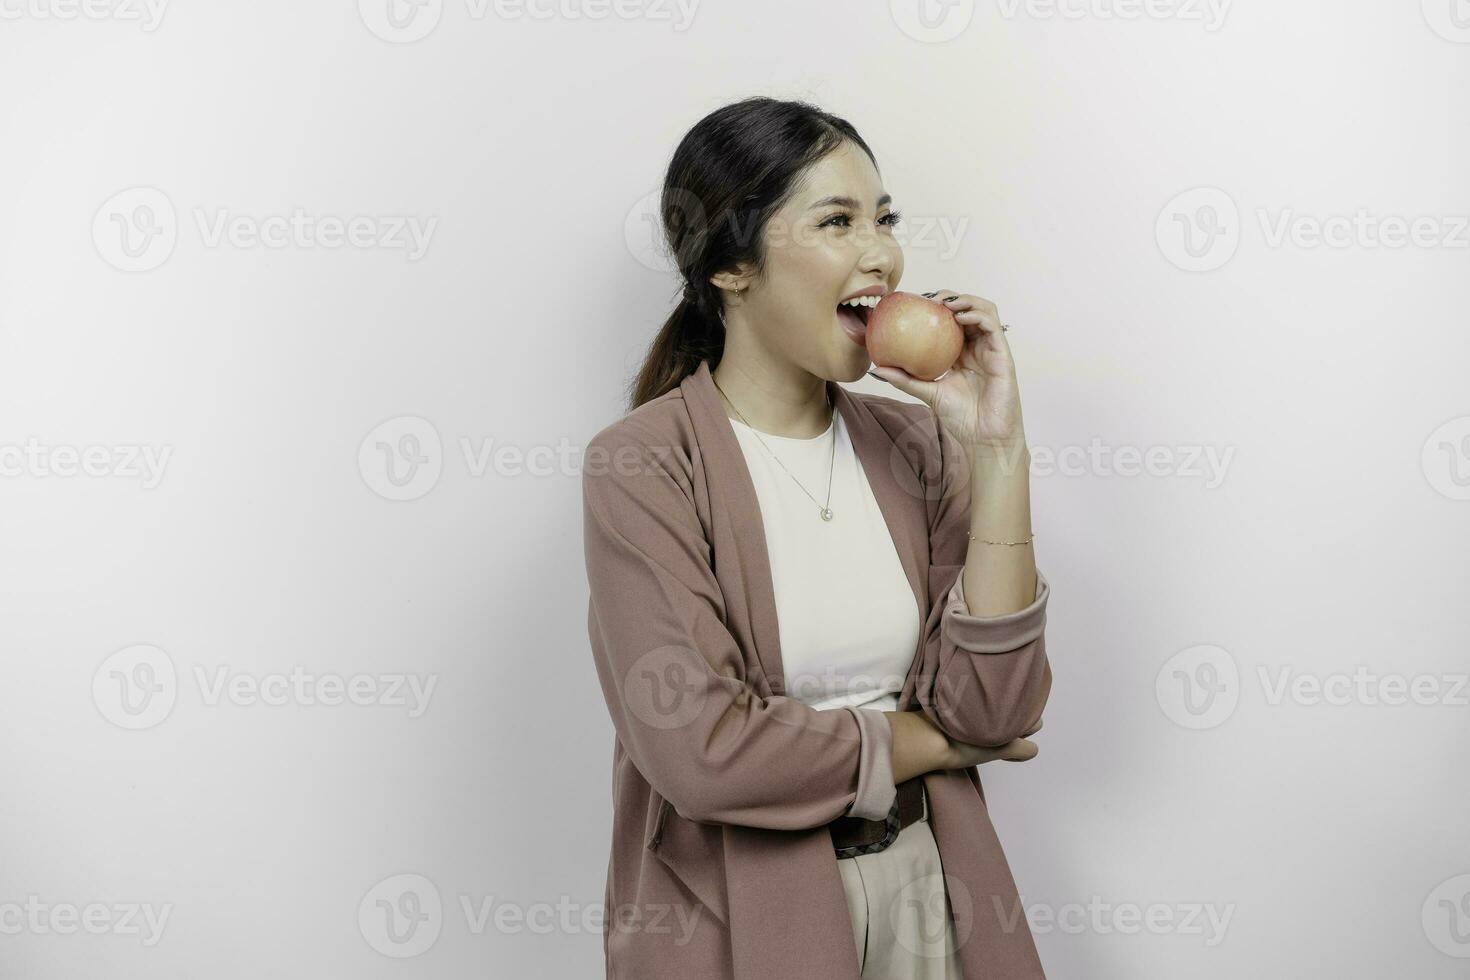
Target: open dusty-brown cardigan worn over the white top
(723,868)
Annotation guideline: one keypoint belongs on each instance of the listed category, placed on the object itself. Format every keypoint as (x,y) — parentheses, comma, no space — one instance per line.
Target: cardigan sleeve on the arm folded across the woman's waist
(674,677)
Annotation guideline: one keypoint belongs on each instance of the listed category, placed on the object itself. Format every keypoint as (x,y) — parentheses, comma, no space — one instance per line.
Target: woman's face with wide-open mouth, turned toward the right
(818,253)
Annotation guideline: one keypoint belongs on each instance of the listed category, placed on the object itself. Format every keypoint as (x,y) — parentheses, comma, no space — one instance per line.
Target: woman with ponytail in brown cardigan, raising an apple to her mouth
(806,635)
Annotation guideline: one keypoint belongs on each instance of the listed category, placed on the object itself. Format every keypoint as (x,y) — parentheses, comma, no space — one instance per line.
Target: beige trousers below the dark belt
(900,909)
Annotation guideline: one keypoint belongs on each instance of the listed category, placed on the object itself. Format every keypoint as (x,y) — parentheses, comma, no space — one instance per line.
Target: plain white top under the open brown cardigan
(847,615)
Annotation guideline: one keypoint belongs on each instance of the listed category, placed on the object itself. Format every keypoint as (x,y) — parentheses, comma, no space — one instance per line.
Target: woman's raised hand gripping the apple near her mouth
(978,399)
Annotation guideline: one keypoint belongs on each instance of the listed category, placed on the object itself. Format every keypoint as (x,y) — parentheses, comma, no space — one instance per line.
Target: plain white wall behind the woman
(1066,148)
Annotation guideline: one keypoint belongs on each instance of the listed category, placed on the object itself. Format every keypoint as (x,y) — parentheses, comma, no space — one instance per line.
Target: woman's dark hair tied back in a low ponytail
(730,174)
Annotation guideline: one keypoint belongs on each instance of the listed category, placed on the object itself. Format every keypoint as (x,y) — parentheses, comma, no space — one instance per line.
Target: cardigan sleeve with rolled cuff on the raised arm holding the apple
(986,680)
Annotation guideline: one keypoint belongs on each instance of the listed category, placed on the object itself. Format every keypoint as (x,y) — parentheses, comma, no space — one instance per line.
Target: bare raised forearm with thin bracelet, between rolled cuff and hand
(1000,578)
